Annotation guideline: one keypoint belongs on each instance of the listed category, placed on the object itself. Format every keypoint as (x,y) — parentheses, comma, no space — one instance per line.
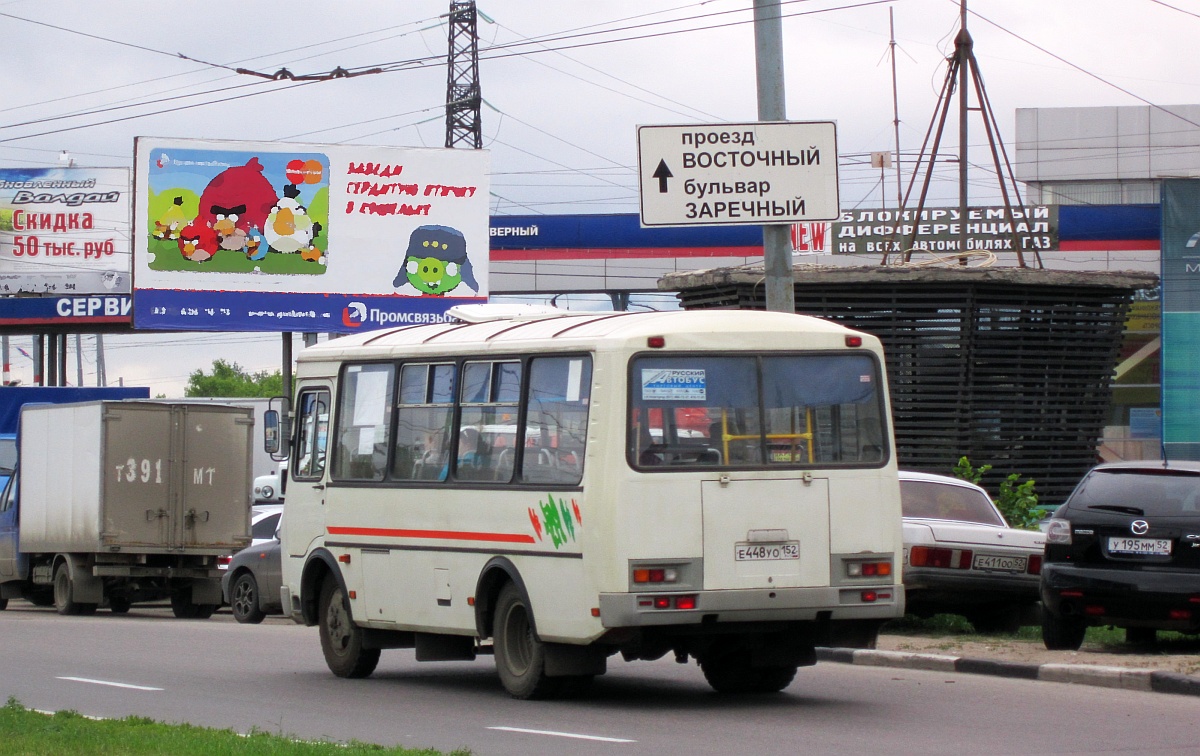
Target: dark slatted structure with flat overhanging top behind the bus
(1009,367)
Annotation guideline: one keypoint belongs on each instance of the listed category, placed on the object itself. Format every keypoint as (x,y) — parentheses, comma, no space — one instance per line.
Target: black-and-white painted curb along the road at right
(1124,679)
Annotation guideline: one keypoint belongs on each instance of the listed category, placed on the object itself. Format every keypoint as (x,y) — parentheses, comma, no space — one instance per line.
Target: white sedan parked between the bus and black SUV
(961,557)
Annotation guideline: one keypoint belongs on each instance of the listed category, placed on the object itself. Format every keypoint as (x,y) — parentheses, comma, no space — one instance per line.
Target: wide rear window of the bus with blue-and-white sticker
(802,411)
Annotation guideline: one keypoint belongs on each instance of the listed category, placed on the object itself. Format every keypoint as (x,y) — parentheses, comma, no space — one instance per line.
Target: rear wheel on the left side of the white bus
(520,657)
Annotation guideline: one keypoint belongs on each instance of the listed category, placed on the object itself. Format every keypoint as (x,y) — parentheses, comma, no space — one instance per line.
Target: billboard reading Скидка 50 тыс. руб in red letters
(64,231)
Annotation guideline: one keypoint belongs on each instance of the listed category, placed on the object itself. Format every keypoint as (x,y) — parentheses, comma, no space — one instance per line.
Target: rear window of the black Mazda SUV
(1149,493)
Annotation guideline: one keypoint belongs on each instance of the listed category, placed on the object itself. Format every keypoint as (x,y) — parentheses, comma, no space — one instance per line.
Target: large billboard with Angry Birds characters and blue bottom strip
(269,237)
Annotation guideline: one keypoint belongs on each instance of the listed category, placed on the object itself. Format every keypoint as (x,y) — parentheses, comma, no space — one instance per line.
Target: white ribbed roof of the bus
(581,331)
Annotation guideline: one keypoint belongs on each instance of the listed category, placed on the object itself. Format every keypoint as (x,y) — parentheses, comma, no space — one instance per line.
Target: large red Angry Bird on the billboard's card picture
(237,200)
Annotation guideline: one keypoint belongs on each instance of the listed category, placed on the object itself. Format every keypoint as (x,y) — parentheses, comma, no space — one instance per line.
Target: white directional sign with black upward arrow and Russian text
(758,173)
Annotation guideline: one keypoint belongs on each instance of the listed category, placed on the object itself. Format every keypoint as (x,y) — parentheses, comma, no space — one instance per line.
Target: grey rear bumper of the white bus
(631,610)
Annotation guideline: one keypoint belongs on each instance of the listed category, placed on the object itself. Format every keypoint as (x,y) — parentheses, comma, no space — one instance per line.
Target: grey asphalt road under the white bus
(273,677)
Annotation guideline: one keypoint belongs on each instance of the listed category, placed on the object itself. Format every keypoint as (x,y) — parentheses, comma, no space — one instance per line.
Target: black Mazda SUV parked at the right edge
(1125,551)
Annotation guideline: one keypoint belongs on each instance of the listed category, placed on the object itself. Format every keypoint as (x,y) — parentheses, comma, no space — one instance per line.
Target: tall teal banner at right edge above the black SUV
(1181,319)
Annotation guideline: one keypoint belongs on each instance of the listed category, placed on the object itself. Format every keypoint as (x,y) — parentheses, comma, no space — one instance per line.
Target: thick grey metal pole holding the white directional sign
(777,251)
